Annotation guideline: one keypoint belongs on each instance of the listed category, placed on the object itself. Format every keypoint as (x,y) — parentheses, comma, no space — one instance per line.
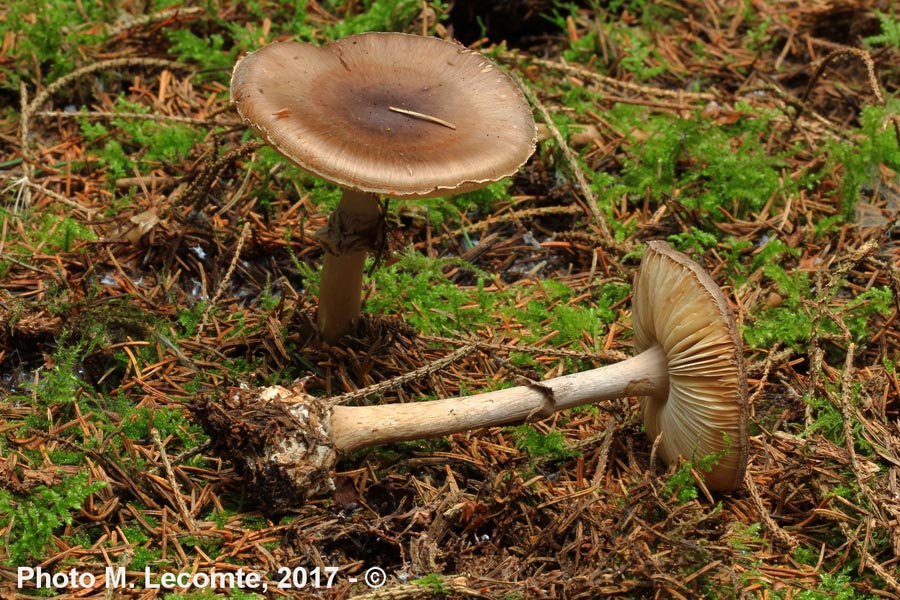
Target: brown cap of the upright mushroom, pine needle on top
(337,111)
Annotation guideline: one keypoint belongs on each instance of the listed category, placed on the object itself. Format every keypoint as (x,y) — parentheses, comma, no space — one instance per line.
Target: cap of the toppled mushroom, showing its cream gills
(679,307)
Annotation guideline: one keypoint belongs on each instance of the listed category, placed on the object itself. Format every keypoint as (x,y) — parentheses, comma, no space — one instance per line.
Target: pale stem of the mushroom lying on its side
(354,427)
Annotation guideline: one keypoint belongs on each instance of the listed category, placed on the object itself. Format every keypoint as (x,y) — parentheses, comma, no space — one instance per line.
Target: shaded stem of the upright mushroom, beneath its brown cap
(351,231)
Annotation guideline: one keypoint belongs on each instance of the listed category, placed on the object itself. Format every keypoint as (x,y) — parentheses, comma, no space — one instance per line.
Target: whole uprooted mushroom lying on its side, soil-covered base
(688,372)
